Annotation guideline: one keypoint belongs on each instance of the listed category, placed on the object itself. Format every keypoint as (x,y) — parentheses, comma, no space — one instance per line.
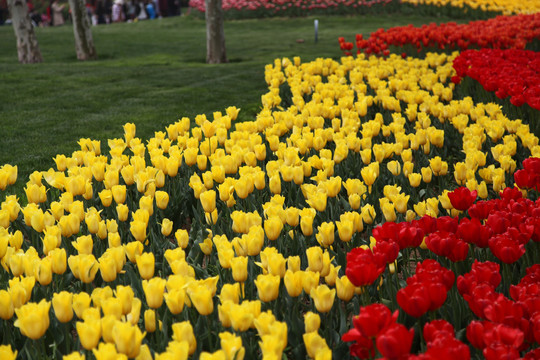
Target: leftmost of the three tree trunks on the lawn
(27,45)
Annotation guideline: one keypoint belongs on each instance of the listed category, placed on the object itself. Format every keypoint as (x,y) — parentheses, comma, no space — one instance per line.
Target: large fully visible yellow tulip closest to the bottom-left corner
(33,319)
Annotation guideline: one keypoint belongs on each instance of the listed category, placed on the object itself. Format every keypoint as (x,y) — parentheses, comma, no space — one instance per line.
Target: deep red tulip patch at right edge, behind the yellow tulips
(509,73)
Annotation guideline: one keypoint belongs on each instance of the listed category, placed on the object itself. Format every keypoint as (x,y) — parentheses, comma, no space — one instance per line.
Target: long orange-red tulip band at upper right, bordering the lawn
(502,32)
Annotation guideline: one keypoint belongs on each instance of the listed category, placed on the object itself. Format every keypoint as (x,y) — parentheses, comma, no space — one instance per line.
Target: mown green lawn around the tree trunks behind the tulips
(150,73)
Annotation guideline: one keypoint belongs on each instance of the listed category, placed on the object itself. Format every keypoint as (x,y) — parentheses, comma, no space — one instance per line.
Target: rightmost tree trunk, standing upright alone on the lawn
(215,36)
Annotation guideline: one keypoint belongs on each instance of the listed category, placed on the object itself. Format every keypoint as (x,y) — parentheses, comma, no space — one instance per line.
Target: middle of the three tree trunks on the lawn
(84,45)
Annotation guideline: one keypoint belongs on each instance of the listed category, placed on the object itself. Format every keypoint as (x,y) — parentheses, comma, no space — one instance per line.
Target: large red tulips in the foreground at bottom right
(494,317)
